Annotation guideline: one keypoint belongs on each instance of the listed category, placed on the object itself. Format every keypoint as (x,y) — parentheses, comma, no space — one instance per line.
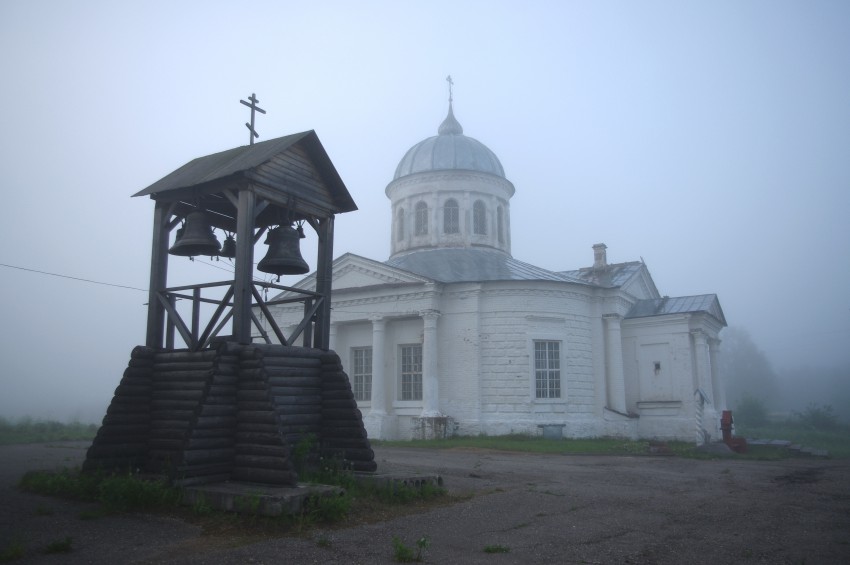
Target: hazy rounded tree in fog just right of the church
(745,370)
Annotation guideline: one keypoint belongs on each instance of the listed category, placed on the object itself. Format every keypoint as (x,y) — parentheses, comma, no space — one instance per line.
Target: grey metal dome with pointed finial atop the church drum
(449,150)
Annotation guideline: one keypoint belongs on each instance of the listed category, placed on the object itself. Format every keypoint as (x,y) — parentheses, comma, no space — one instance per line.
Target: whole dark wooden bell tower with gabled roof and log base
(227,407)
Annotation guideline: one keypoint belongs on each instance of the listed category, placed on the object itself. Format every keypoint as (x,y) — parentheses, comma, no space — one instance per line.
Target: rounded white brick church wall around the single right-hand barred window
(511,319)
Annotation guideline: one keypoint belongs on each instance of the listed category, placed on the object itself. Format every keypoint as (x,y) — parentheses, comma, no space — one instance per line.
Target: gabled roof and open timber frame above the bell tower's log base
(246,191)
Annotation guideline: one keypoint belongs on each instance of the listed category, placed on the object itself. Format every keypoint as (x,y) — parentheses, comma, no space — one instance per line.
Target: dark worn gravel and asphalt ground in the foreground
(543,508)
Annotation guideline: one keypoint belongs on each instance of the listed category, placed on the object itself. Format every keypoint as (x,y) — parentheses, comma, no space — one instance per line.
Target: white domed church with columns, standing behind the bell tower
(452,335)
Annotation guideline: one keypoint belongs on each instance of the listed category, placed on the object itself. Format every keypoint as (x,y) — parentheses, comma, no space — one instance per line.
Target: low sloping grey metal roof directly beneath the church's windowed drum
(451,265)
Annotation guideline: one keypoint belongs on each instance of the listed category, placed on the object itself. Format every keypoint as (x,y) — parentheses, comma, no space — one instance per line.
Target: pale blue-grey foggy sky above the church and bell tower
(712,139)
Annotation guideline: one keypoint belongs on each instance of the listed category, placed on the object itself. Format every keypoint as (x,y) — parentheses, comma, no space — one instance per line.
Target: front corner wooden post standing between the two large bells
(242,282)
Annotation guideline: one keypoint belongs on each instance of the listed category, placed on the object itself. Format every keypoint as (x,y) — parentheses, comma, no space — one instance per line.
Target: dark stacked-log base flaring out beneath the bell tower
(230,413)
